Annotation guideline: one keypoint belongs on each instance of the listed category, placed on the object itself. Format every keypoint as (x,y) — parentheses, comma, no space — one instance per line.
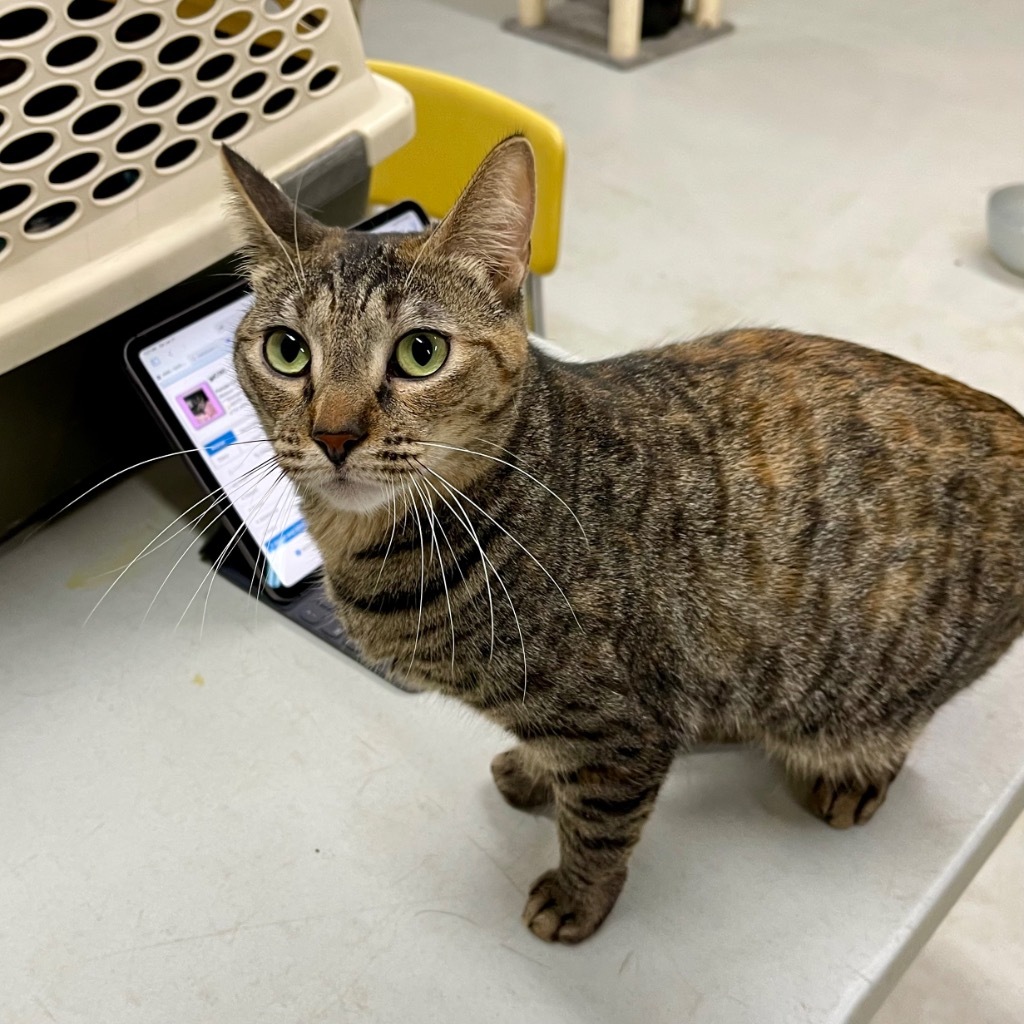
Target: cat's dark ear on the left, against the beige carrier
(269,219)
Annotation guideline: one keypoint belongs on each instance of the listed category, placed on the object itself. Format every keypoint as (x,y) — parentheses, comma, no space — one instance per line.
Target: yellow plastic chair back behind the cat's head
(457,123)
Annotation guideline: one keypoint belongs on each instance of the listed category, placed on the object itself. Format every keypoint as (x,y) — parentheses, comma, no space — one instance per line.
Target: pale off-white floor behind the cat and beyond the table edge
(826,168)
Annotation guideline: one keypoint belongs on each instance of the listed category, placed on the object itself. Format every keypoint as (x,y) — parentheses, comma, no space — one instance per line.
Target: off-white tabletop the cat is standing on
(249,828)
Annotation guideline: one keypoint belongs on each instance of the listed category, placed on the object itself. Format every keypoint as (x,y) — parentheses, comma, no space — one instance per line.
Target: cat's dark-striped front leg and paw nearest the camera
(603,806)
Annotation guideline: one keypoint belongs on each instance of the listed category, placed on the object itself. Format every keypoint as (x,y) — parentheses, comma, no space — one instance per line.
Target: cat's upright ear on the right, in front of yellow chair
(492,221)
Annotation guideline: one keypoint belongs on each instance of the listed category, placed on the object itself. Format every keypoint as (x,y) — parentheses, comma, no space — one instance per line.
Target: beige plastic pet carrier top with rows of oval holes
(112,113)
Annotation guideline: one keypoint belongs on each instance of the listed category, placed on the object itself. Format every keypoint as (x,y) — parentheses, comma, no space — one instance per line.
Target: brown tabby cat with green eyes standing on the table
(782,539)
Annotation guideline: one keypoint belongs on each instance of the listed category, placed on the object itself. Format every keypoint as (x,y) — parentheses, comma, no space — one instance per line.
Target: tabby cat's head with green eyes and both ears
(369,358)
